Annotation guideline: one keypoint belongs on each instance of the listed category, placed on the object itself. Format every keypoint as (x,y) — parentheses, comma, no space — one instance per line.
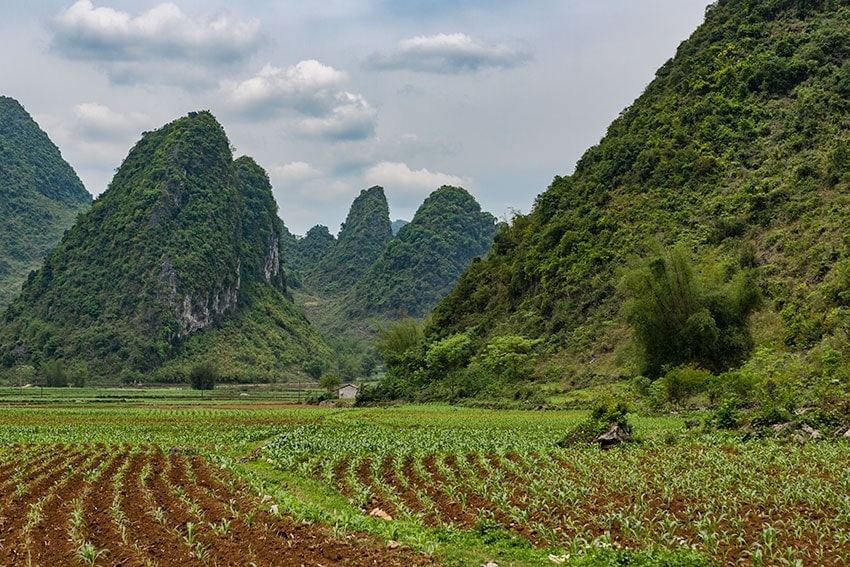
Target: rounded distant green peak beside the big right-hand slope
(422,263)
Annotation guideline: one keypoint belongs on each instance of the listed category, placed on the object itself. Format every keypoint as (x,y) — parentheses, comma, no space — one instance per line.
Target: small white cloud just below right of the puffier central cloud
(353,118)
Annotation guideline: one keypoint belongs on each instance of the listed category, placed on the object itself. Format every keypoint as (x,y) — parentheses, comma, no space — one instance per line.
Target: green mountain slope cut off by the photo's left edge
(40,196)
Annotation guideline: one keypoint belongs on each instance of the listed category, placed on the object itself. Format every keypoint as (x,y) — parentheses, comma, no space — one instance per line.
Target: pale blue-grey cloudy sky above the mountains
(335,96)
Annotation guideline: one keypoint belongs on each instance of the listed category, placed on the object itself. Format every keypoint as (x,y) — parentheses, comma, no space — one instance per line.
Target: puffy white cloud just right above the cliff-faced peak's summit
(309,87)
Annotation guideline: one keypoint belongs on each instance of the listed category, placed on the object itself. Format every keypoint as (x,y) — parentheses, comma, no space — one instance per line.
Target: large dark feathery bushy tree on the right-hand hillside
(680,315)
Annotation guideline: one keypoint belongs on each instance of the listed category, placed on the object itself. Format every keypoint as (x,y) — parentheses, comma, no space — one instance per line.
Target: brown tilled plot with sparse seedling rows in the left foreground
(139,506)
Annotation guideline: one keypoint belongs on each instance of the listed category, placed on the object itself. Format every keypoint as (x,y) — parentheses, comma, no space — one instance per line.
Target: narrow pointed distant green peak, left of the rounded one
(362,238)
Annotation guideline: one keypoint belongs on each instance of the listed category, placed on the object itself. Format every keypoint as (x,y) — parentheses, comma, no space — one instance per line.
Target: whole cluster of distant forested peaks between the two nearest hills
(367,275)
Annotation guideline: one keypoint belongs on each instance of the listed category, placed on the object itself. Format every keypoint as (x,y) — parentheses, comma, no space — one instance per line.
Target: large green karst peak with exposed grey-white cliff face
(177,263)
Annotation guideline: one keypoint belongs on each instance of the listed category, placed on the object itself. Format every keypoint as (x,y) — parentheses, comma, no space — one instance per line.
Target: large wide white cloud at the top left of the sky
(129,47)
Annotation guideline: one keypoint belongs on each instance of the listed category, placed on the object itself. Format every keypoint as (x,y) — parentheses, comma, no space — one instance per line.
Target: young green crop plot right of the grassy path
(731,501)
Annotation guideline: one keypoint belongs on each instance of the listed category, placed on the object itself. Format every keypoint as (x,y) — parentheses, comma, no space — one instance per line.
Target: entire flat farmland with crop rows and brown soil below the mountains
(409,485)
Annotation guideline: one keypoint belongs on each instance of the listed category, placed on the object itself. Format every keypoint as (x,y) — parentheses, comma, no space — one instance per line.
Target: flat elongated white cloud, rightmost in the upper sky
(448,54)
